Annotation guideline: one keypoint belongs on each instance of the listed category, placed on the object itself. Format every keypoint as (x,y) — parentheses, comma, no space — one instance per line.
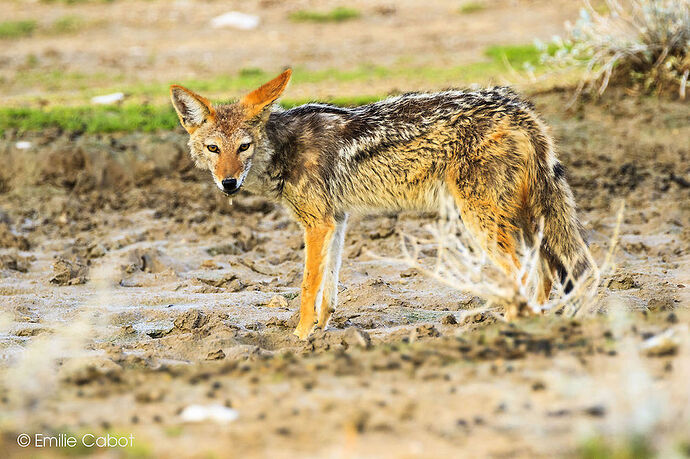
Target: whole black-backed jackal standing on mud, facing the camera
(487,149)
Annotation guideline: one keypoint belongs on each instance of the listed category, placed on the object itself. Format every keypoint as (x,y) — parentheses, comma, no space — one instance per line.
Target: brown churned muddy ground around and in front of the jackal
(131,289)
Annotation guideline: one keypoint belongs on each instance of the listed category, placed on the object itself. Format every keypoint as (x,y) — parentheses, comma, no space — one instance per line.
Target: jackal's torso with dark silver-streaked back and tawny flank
(394,154)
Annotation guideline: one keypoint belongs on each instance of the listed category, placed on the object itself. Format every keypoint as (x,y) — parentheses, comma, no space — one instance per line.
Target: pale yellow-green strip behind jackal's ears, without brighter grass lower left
(247,79)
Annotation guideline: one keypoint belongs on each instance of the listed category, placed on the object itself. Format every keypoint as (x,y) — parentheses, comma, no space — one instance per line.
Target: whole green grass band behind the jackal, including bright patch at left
(135,115)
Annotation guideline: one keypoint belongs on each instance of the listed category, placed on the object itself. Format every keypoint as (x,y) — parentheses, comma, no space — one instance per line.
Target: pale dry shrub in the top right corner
(644,43)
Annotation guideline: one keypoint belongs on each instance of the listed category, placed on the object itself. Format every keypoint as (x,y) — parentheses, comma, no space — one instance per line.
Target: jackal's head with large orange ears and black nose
(224,138)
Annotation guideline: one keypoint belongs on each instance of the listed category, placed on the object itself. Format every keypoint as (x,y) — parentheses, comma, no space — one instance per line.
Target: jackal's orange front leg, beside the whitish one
(317,239)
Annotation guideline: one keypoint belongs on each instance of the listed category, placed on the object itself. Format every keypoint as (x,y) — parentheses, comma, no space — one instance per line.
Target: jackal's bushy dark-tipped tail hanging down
(563,244)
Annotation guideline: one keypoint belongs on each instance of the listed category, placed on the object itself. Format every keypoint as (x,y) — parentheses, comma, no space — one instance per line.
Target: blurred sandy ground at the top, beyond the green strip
(130,41)
